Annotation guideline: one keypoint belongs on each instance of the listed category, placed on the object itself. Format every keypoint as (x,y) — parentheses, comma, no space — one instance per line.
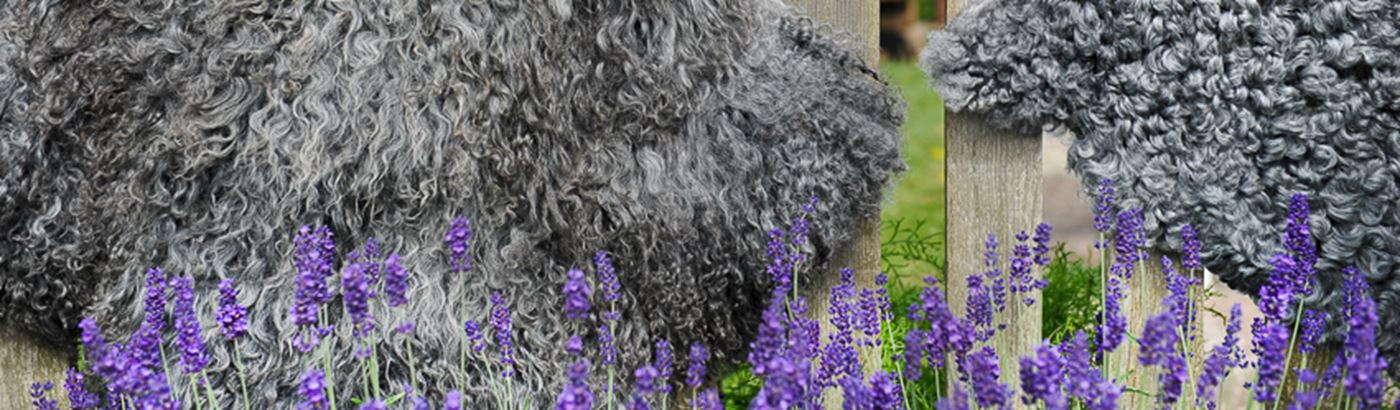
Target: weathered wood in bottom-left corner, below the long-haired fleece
(26,360)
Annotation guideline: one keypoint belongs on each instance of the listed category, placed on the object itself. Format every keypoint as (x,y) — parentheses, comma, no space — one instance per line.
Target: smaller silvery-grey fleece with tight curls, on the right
(1210,114)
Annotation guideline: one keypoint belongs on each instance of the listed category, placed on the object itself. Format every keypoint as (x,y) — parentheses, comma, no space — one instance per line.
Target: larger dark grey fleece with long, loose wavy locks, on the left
(199,136)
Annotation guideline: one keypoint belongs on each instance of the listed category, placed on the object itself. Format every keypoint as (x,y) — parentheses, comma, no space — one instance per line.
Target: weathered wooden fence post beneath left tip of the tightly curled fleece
(995,184)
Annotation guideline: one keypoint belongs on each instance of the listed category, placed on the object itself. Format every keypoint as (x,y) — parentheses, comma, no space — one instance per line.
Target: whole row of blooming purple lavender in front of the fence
(797,365)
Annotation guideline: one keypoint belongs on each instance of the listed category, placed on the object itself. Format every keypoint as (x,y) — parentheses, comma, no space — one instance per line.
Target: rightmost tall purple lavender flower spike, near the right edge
(1366,369)
